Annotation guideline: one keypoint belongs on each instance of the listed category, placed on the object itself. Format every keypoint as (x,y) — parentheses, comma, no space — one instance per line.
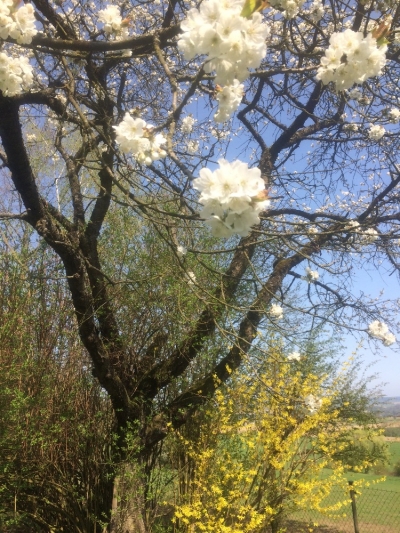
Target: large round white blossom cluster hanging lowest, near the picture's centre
(232,196)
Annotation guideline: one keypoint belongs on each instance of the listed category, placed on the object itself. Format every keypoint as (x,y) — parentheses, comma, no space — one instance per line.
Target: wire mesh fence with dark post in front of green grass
(370,511)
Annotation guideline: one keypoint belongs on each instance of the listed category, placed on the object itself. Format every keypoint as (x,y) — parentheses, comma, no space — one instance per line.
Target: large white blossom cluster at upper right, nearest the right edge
(351,58)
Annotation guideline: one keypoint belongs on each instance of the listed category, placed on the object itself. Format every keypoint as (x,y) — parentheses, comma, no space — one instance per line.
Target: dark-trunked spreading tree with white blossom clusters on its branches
(80,86)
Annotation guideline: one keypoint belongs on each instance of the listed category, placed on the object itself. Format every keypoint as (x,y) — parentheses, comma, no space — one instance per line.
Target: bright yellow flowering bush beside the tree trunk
(261,454)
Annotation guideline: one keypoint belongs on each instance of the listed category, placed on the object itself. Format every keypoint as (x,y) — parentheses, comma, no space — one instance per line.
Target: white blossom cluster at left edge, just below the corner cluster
(15,74)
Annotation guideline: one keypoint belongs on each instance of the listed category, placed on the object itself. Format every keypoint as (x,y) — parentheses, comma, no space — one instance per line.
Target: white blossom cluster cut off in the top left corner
(17,23)
